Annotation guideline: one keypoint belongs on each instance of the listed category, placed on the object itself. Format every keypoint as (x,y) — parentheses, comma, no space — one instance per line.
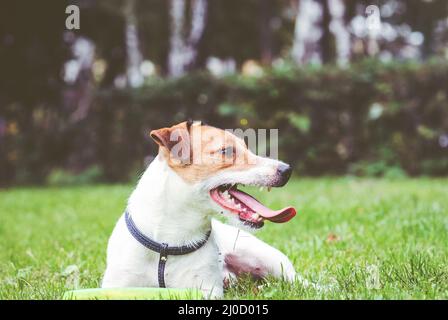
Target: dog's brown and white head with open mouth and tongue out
(214,162)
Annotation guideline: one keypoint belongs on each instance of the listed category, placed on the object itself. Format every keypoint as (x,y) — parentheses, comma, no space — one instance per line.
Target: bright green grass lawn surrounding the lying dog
(355,238)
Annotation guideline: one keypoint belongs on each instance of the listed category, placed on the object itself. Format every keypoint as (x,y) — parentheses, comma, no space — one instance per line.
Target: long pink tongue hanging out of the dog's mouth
(278,216)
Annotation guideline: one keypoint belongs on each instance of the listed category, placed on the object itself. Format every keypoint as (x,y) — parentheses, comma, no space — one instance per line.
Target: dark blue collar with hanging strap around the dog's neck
(162,248)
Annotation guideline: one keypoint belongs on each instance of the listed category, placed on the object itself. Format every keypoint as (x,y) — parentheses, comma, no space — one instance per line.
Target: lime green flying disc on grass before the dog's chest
(134,294)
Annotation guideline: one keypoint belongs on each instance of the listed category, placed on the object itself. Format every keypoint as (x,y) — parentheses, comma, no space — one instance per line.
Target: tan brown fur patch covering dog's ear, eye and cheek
(196,152)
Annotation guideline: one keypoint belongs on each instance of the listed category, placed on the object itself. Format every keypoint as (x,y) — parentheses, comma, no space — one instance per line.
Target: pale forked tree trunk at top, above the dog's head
(183,52)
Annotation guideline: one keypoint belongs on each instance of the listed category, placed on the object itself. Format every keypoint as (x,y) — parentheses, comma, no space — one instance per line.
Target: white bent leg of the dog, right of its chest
(242,252)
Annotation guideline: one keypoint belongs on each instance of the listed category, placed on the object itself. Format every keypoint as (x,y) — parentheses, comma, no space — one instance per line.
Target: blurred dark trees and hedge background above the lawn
(354,87)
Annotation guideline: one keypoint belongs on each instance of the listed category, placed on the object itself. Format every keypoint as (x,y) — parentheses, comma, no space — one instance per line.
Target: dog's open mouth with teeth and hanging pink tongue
(249,209)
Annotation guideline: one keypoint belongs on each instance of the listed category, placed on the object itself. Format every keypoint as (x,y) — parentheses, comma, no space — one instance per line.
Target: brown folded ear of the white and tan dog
(176,140)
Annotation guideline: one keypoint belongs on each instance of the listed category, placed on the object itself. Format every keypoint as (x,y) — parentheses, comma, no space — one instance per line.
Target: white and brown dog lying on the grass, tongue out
(178,200)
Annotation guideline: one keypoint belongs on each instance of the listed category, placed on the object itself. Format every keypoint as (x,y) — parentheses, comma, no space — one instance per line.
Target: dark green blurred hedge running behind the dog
(367,119)
